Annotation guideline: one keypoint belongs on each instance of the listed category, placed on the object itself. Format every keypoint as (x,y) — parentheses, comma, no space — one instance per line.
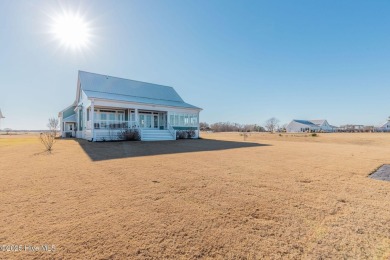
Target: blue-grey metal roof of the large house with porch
(113,88)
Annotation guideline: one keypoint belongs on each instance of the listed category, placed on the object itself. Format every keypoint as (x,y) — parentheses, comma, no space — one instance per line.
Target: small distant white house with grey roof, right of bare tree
(296,126)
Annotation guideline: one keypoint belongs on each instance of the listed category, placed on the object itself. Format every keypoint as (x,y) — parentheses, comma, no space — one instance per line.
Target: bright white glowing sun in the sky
(71,30)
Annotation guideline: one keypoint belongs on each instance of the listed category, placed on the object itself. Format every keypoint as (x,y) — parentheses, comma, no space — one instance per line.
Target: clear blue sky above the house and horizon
(241,61)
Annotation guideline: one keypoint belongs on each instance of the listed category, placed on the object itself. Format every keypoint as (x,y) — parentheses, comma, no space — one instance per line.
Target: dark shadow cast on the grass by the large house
(100,151)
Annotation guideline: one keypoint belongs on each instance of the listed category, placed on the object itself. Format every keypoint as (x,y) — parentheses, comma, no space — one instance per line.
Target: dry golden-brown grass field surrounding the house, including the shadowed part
(269,197)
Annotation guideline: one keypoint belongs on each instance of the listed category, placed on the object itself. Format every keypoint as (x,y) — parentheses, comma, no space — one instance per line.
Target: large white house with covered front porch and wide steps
(106,105)
